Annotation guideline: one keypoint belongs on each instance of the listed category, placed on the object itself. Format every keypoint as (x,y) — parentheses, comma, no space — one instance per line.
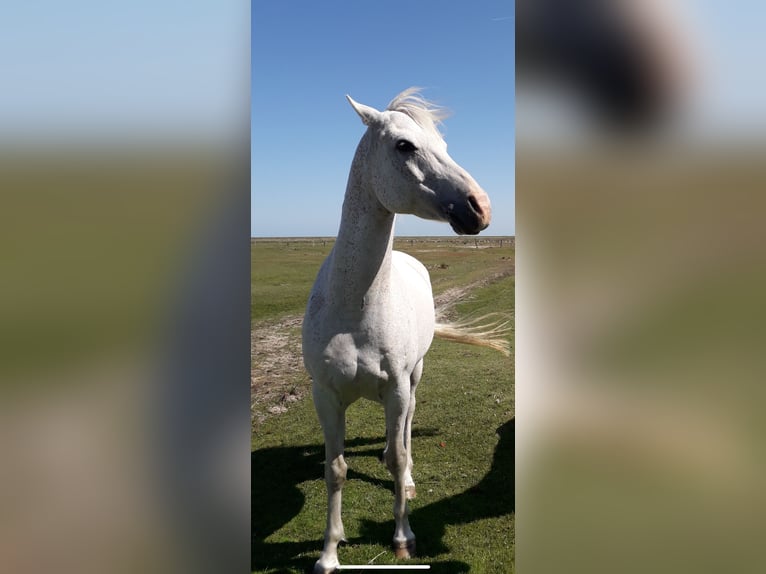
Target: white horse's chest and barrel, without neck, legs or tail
(361,344)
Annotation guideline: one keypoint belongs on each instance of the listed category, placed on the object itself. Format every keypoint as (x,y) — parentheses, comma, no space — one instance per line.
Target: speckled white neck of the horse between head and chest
(361,265)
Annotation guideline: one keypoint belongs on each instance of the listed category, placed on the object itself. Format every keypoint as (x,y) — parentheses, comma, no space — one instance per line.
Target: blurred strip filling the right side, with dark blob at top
(641,131)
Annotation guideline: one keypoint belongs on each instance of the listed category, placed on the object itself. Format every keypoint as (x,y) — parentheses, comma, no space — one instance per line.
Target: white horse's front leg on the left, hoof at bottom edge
(332,417)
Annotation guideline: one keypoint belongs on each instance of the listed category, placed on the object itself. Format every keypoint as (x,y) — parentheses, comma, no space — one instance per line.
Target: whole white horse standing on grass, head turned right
(370,317)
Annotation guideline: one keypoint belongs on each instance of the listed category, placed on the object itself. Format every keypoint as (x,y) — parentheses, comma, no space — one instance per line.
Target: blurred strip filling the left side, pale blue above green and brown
(124,287)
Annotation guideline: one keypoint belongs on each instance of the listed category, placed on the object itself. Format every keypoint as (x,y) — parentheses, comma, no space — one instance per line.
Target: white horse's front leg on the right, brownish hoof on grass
(397,406)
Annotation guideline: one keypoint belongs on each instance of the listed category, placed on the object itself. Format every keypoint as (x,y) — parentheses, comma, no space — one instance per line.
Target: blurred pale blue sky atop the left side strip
(146,67)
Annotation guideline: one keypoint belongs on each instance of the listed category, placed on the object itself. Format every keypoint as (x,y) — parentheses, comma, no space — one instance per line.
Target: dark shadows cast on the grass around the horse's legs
(276,500)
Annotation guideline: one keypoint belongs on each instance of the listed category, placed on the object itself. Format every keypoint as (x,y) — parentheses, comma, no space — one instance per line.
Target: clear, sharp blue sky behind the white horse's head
(306,56)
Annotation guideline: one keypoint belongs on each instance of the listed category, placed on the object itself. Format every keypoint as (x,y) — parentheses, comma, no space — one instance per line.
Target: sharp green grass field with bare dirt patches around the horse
(463,435)
